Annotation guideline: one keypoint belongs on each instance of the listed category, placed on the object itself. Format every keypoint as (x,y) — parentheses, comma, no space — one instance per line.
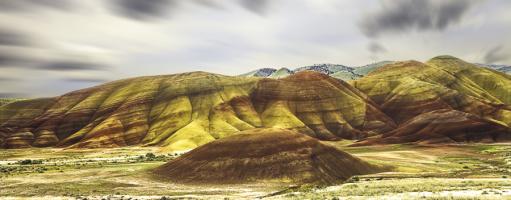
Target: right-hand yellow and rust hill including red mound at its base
(444,98)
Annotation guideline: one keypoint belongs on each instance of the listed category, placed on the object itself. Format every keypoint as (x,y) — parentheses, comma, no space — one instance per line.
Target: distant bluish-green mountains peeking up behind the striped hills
(343,72)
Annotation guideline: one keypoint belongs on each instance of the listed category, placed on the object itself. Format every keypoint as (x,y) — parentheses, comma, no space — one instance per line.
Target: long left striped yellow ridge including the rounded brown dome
(187,110)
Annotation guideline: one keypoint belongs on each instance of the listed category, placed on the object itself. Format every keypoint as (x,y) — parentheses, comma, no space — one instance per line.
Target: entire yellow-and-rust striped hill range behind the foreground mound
(396,102)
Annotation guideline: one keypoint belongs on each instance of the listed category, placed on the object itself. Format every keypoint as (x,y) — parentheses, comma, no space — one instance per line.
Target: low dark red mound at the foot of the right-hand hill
(444,126)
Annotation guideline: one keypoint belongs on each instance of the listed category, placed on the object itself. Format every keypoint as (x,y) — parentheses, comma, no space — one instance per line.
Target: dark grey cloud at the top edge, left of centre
(143,9)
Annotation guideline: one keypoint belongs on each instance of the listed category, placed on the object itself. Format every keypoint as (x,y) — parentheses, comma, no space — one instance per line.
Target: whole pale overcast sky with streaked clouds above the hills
(49,47)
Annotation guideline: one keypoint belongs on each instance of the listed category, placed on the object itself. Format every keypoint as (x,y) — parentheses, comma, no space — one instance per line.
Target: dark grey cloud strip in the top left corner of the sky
(26,5)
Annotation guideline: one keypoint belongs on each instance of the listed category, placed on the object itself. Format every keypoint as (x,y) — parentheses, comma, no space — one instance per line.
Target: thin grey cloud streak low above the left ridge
(72,66)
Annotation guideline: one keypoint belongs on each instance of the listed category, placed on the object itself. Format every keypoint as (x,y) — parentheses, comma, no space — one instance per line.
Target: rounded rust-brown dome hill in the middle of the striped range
(318,105)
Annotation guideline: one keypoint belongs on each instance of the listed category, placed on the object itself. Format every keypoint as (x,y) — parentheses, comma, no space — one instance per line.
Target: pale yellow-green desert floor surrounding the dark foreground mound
(468,171)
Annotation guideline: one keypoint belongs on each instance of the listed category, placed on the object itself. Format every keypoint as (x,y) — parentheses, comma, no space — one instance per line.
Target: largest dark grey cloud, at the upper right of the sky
(407,15)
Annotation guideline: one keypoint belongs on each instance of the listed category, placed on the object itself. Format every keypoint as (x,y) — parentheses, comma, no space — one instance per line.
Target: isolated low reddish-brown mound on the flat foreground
(265,155)
